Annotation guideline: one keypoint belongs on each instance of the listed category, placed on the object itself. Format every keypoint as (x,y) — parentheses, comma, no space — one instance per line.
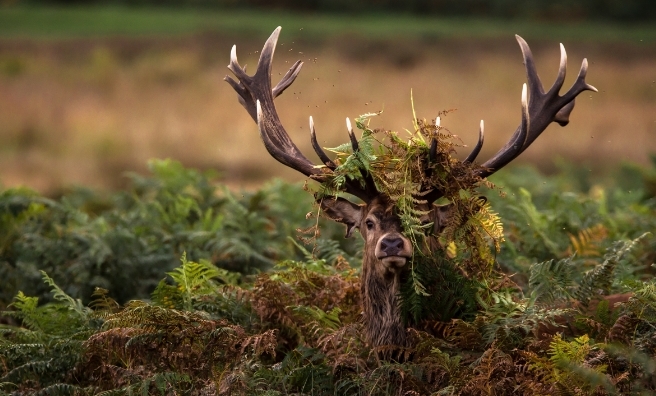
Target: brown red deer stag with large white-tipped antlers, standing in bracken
(387,249)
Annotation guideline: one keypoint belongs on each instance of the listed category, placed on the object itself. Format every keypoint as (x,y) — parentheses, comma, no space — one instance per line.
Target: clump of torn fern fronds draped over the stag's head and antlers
(398,169)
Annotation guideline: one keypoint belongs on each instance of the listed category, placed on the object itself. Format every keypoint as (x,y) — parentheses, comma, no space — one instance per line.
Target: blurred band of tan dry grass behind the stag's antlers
(85,111)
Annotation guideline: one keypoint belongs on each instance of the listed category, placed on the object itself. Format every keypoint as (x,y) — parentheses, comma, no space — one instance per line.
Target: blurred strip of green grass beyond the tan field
(70,22)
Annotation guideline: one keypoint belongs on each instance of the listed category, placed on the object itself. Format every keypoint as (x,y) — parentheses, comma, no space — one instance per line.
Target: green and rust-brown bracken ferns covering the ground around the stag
(243,309)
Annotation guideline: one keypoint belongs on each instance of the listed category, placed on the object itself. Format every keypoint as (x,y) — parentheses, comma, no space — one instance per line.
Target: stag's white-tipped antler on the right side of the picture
(539,109)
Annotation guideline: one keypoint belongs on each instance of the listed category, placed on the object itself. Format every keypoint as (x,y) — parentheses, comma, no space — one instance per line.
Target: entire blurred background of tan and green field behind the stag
(91,90)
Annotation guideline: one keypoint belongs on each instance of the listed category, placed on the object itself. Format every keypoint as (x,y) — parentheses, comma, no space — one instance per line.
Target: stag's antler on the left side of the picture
(256,95)
